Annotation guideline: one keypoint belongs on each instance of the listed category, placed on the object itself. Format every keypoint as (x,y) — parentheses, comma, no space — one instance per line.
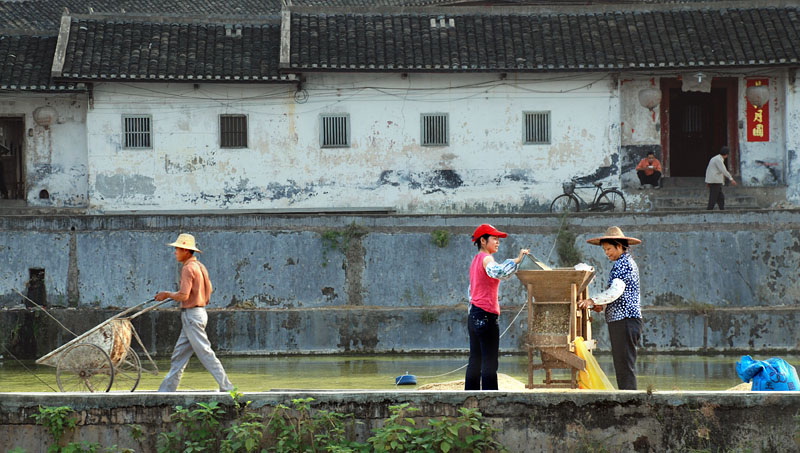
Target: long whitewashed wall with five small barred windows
(487,168)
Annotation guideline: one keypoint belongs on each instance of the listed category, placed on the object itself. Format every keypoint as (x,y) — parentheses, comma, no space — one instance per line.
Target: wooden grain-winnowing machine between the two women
(555,321)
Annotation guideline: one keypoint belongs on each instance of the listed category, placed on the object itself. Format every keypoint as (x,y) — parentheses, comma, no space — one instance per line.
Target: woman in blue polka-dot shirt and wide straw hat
(621,300)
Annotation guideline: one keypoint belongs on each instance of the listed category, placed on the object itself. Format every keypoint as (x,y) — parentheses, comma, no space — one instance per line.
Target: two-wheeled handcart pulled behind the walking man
(101,359)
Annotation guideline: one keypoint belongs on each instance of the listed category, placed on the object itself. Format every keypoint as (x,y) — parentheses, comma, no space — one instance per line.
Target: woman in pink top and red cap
(484,333)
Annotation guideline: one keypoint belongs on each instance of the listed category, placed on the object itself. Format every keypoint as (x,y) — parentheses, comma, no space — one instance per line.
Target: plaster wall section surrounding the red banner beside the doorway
(764,163)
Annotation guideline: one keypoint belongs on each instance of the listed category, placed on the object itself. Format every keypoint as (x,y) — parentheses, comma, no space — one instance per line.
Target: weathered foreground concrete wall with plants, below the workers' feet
(530,422)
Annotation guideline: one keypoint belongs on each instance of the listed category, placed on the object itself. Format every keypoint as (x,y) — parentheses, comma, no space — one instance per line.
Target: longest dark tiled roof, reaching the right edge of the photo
(468,39)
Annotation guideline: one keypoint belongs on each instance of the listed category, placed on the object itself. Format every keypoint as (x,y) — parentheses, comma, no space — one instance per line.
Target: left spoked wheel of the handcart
(84,367)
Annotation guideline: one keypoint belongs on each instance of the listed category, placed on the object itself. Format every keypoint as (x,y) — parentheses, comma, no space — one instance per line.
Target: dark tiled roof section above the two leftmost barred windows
(153,51)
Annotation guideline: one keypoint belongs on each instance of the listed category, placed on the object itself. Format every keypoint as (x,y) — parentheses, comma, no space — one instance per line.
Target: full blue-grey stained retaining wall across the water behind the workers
(717,281)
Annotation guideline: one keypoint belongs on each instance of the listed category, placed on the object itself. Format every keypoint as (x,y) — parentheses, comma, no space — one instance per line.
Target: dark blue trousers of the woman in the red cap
(484,347)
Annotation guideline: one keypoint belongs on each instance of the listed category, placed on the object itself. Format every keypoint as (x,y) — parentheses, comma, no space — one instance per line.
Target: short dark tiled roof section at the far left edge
(26,63)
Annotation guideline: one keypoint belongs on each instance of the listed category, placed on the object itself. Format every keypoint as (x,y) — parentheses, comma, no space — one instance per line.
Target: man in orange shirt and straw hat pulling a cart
(193,295)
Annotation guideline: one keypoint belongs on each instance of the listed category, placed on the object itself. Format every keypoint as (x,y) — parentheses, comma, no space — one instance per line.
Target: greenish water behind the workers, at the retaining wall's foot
(377,372)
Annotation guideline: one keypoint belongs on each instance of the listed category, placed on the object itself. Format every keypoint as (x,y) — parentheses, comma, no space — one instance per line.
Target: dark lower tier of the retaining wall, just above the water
(415,329)
